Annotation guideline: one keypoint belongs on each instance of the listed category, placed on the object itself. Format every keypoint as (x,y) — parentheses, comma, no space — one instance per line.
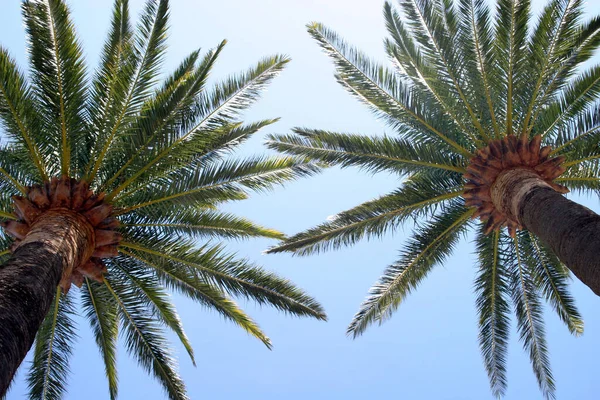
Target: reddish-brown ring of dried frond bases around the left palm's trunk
(68,193)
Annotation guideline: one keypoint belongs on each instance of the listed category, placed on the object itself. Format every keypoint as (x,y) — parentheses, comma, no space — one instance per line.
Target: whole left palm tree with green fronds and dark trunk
(109,183)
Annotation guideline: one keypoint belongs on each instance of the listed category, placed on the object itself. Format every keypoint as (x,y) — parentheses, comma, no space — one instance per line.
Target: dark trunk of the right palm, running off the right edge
(570,230)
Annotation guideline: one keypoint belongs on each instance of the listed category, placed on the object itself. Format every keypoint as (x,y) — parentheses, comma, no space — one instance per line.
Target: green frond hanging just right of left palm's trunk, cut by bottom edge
(53,348)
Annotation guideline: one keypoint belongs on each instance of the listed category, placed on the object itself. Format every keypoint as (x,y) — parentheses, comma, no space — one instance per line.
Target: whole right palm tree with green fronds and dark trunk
(472,98)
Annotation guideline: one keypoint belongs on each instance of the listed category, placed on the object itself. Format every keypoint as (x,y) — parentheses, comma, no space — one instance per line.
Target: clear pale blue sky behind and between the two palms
(428,350)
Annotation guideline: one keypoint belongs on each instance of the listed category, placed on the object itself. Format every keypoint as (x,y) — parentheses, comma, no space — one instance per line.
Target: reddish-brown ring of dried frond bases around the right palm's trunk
(499,156)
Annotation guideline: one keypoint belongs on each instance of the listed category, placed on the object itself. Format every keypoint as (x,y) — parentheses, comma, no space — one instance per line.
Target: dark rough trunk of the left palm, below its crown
(58,241)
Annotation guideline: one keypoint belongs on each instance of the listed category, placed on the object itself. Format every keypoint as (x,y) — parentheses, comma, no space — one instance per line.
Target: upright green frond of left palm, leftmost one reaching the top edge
(58,74)
